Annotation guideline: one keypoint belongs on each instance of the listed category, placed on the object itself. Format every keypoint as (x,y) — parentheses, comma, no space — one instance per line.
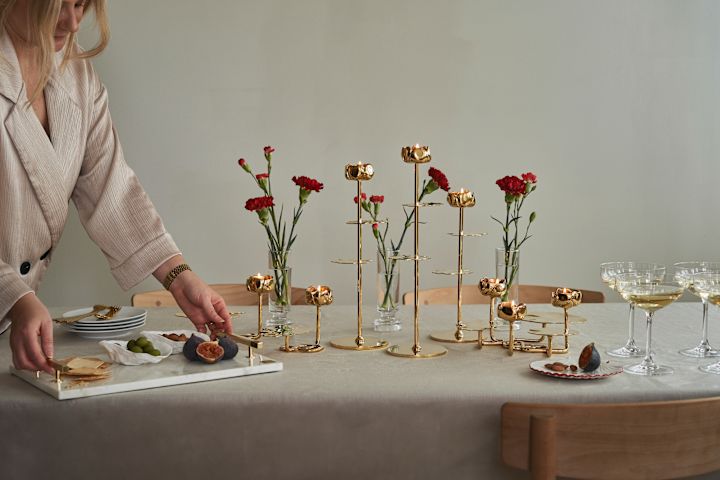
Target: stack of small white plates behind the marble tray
(124,322)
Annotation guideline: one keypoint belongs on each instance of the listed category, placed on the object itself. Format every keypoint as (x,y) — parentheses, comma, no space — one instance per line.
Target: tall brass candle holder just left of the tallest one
(358,173)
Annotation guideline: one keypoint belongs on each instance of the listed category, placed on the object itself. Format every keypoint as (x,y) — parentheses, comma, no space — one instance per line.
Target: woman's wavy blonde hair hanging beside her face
(42,18)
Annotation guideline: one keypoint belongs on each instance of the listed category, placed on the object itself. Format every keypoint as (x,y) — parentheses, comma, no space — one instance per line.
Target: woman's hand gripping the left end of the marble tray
(31,335)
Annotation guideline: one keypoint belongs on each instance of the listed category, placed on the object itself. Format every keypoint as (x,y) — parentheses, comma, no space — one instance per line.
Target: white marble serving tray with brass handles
(174,370)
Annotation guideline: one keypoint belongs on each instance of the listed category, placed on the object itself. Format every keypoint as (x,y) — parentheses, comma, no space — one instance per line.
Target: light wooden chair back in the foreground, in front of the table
(651,440)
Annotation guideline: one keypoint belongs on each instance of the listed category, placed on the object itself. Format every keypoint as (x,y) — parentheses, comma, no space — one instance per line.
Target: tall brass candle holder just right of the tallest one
(461,200)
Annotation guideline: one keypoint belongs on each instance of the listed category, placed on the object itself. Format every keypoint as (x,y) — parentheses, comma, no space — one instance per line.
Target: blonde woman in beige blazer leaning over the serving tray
(57,143)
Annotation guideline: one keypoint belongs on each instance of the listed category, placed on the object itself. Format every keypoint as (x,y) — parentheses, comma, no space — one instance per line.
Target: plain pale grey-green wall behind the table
(614,104)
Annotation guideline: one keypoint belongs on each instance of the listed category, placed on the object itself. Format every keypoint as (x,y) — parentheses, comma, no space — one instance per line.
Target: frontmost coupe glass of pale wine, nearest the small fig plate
(650,295)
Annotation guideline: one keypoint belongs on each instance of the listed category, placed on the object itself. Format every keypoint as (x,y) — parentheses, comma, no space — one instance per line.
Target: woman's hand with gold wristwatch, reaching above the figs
(203,306)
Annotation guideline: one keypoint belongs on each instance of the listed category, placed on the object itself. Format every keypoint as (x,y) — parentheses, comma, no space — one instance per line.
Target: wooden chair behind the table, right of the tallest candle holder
(471,295)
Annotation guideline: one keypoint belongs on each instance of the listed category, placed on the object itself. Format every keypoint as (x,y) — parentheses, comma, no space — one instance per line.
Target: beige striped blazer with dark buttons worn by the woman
(81,160)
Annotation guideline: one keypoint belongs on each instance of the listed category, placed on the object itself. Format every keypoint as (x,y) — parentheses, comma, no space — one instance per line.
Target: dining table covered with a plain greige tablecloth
(335,414)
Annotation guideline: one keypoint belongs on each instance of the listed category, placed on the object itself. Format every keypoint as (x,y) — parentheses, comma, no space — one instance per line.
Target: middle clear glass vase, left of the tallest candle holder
(388,294)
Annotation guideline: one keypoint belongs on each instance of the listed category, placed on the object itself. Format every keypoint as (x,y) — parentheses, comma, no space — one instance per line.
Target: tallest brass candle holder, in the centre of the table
(416,155)
